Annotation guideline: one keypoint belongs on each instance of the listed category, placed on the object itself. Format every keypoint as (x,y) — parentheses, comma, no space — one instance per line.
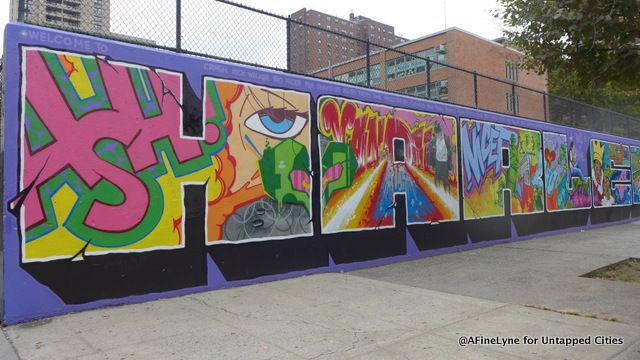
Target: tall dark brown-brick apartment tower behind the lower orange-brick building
(312,49)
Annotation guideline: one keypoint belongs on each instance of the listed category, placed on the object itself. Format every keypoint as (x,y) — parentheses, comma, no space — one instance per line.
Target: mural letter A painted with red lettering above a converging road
(370,152)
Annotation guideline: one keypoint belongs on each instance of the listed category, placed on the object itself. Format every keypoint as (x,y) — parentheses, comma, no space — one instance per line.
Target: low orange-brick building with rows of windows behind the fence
(394,71)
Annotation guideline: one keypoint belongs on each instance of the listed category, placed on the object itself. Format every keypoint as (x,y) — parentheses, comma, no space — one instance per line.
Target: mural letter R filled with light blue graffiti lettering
(500,164)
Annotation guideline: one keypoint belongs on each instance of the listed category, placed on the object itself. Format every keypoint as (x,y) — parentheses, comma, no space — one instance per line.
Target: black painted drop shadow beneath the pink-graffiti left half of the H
(118,275)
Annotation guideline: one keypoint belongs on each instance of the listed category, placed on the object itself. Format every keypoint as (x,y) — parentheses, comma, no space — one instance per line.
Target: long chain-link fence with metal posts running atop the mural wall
(330,49)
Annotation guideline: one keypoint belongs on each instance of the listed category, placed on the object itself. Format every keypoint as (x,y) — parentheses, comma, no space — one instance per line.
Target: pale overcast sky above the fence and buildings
(411,19)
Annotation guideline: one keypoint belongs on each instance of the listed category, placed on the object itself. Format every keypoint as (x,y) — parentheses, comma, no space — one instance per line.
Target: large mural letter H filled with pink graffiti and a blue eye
(118,188)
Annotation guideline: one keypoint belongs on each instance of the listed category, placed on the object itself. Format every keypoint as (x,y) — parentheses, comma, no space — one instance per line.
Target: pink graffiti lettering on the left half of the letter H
(75,140)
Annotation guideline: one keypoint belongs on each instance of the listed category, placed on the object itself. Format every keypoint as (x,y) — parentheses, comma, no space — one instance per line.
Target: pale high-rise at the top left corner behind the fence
(75,15)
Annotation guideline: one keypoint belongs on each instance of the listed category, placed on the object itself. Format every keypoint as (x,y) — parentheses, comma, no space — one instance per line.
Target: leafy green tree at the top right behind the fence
(589,48)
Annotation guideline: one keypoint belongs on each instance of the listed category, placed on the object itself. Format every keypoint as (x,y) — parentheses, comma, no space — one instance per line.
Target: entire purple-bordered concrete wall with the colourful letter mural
(132,174)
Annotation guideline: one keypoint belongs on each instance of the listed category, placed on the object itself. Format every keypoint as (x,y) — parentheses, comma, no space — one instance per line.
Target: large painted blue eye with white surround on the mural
(277,123)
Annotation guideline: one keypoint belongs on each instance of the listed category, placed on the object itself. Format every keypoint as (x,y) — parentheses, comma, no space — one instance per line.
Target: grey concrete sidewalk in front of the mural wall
(412,310)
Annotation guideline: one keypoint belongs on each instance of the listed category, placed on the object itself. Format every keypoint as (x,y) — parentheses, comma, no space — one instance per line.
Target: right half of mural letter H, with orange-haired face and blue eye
(264,173)
